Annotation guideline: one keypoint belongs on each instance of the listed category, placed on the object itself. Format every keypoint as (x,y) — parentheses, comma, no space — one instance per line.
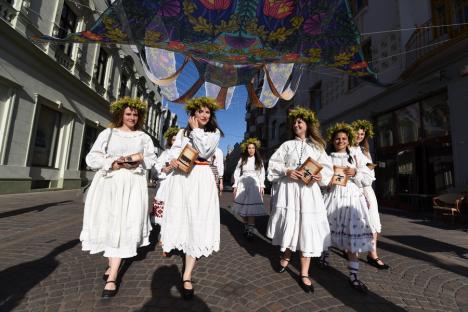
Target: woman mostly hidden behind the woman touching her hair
(163,169)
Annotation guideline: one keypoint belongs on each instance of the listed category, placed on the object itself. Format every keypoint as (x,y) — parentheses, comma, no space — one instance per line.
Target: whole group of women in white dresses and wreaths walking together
(335,208)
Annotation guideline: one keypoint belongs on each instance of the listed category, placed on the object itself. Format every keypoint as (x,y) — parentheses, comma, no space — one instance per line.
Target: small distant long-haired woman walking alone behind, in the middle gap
(249,186)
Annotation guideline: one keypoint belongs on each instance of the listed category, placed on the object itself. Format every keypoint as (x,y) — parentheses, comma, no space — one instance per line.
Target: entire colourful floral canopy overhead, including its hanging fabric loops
(230,41)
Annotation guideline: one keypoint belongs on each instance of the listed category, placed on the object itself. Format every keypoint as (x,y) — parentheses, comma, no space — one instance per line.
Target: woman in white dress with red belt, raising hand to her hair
(191,220)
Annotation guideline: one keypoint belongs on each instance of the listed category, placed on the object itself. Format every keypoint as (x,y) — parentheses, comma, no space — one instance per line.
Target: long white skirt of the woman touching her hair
(191,221)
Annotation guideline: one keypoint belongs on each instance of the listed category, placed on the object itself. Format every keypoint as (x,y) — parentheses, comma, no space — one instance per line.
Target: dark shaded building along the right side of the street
(419,116)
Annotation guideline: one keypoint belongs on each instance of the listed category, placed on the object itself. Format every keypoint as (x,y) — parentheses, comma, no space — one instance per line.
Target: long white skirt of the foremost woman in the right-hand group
(298,218)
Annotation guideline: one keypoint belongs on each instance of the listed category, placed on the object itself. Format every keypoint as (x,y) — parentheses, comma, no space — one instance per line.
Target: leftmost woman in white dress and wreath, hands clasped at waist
(116,219)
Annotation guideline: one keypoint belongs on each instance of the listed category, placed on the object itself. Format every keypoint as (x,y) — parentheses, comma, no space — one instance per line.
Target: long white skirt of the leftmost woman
(116,219)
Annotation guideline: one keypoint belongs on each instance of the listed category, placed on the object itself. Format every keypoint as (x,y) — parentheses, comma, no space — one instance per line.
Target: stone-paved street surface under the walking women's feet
(42,268)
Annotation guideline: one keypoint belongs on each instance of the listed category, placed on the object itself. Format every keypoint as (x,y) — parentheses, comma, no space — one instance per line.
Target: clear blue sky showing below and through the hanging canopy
(231,121)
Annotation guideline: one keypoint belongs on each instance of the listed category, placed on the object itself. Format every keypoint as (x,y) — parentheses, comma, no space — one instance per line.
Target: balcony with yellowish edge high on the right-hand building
(427,41)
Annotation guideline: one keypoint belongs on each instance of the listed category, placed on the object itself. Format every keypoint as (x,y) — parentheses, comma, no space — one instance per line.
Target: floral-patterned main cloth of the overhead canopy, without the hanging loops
(239,32)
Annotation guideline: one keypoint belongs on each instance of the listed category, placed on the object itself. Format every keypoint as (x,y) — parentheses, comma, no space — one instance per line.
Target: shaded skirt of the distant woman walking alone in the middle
(248,201)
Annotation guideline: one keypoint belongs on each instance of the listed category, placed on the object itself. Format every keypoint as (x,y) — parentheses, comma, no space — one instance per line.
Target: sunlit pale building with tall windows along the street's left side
(54,99)
